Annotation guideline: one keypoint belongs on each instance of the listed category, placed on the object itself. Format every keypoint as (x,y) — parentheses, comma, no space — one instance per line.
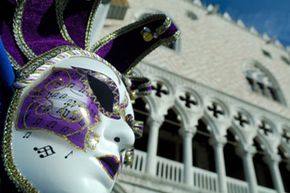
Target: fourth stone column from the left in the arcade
(247,153)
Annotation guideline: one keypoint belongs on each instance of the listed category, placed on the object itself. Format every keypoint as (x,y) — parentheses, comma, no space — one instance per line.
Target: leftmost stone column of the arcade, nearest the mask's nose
(154,125)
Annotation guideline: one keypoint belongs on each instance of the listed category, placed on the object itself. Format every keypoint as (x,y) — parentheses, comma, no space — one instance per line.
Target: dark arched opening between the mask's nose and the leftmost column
(141,114)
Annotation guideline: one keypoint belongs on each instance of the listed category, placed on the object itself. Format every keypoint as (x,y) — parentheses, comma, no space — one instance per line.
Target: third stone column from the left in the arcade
(218,145)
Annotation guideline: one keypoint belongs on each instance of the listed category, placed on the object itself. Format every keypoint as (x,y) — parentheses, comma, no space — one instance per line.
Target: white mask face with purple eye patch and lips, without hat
(71,128)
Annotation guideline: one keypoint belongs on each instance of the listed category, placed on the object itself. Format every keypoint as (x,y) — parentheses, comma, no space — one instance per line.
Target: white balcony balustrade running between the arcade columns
(203,180)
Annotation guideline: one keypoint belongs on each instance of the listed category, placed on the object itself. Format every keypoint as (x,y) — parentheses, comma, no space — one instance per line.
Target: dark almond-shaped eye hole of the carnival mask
(103,93)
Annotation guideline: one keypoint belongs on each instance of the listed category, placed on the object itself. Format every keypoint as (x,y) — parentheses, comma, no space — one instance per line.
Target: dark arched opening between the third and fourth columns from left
(233,162)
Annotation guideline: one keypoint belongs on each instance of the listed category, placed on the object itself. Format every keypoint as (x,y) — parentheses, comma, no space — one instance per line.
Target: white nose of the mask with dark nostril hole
(119,132)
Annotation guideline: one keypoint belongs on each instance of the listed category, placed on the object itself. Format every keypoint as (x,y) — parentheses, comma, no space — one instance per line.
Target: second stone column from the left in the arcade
(187,156)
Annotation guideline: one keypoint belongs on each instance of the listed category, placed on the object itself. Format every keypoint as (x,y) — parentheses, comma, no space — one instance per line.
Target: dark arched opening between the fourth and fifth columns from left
(262,170)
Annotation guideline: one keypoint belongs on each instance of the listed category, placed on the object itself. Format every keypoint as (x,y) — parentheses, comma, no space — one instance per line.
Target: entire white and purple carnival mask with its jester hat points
(70,126)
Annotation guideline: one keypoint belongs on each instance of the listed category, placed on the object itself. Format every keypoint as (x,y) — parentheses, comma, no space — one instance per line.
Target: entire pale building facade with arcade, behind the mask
(218,118)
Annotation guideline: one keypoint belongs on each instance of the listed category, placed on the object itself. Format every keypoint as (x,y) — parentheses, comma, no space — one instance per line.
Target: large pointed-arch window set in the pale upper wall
(262,82)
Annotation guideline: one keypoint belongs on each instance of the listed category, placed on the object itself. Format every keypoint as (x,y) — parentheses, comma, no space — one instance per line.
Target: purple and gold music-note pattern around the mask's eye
(65,104)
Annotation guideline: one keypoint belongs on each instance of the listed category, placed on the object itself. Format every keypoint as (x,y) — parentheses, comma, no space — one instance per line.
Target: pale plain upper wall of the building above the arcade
(214,51)
